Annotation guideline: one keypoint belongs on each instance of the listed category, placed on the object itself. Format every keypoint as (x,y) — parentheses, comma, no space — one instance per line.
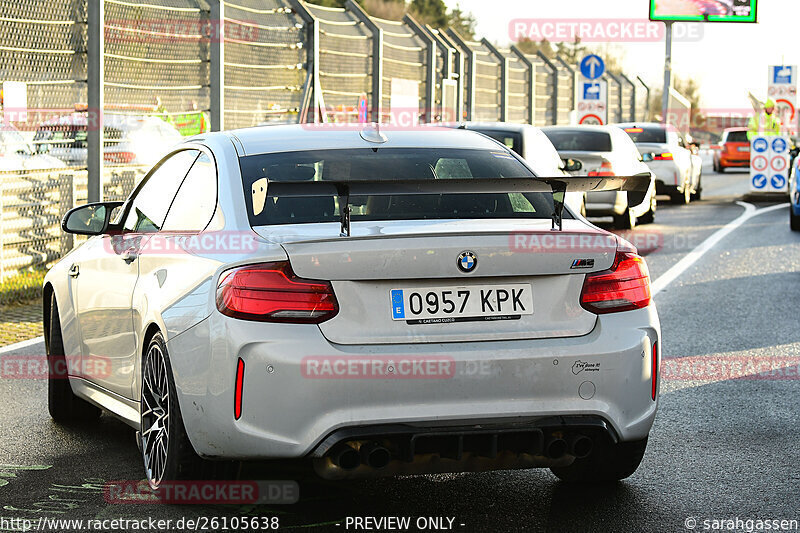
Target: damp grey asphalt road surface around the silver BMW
(721,448)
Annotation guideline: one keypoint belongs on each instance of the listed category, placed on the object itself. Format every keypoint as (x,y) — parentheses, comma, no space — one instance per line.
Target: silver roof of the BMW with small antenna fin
(295,137)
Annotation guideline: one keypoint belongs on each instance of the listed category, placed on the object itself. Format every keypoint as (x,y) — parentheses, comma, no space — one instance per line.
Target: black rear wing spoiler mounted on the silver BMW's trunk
(556,186)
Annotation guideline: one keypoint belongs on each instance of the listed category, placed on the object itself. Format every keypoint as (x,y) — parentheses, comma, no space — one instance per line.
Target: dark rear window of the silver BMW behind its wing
(387,164)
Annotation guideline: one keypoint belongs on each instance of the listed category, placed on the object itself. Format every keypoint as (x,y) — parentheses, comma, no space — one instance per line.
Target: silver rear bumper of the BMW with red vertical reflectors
(287,412)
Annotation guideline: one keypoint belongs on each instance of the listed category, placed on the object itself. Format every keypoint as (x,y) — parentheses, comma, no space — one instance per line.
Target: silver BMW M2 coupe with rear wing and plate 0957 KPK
(372,303)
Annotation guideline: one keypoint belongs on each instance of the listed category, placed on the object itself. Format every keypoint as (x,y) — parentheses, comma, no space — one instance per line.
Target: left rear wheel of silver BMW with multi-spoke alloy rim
(180,461)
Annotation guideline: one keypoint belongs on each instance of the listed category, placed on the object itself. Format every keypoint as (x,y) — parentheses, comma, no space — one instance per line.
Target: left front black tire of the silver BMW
(64,406)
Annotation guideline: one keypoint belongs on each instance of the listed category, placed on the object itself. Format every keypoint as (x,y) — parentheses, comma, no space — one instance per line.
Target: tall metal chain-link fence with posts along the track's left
(171,68)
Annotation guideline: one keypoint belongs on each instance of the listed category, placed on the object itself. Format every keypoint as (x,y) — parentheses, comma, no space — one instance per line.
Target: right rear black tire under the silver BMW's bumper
(608,463)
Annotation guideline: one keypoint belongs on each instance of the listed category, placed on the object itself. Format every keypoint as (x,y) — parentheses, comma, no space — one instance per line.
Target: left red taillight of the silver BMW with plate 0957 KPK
(271,292)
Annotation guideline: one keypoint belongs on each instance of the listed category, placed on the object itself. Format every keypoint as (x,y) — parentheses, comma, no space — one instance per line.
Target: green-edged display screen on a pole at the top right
(704,10)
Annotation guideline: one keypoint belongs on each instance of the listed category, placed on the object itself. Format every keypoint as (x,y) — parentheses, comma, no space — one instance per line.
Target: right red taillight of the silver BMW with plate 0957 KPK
(623,287)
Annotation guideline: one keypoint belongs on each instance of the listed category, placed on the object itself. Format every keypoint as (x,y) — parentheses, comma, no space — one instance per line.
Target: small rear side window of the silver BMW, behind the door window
(196,199)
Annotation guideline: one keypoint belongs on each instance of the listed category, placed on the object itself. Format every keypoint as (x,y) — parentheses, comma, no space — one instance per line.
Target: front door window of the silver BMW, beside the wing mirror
(150,205)
